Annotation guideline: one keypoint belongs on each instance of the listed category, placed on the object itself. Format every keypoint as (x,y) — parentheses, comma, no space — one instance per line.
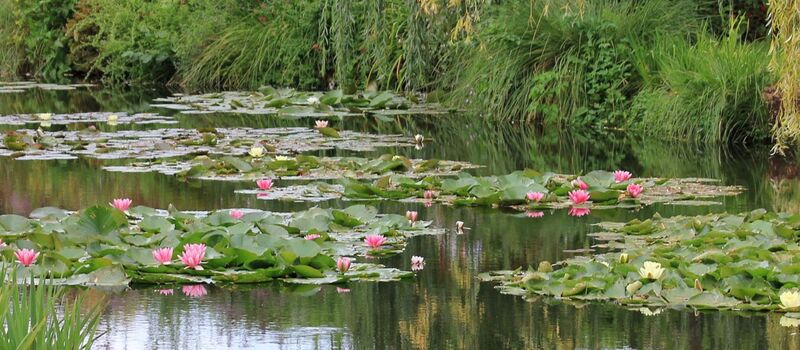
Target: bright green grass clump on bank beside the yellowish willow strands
(709,91)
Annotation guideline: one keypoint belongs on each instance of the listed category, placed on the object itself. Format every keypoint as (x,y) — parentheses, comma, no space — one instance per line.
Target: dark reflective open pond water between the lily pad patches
(445,306)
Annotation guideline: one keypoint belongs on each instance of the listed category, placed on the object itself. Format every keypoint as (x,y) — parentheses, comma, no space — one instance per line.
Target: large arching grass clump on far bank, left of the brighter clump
(564,62)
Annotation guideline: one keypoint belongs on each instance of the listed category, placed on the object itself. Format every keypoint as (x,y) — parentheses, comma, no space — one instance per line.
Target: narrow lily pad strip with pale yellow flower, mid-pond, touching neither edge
(300,167)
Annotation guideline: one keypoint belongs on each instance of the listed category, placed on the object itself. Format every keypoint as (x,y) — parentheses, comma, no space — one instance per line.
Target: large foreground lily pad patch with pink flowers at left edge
(104,246)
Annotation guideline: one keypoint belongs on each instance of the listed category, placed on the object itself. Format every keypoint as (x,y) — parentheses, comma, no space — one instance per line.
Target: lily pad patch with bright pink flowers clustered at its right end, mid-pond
(530,190)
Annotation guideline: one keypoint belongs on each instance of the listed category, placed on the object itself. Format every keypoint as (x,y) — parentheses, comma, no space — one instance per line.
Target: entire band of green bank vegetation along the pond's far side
(696,70)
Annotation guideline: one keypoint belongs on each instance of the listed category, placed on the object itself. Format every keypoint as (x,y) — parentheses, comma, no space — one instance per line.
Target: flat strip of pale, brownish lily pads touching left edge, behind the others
(166,143)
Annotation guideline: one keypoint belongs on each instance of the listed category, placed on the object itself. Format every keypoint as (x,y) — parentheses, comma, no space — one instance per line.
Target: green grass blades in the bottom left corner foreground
(39,316)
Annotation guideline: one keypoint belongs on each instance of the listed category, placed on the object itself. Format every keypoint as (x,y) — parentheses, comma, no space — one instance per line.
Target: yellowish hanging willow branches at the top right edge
(785,29)
